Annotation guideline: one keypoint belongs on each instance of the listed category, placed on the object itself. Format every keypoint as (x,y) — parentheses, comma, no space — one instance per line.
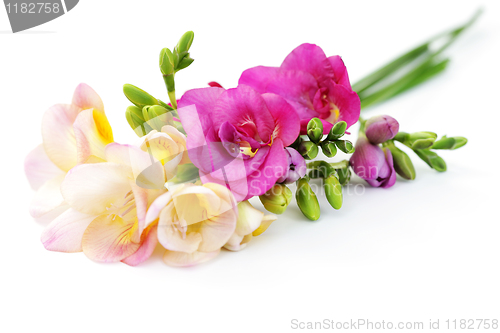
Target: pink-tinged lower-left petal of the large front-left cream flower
(64,234)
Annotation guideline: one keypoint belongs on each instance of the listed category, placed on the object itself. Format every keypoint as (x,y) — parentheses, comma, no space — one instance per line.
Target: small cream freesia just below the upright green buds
(168,147)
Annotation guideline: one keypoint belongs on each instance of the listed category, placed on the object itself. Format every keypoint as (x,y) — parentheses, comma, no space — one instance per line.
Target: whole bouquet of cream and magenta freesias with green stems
(200,158)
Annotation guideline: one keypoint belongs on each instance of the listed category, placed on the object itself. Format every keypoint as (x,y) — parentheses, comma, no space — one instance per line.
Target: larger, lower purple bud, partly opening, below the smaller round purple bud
(373,164)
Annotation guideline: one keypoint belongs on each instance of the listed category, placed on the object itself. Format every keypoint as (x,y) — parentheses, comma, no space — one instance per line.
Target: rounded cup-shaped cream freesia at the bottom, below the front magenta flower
(194,222)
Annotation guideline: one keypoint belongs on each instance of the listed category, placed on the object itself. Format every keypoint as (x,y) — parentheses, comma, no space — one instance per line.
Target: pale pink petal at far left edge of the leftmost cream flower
(39,168)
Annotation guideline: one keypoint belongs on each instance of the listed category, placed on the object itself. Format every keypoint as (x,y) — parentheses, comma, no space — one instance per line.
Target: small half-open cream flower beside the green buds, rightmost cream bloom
(251,222)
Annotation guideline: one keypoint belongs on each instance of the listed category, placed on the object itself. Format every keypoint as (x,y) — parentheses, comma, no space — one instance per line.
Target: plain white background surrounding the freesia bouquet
(427,249)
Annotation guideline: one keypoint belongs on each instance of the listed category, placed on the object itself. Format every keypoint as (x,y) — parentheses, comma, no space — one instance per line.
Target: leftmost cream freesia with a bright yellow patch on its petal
(72,134)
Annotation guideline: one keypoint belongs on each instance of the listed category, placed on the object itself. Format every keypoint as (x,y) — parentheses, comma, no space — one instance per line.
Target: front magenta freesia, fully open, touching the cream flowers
(236,137)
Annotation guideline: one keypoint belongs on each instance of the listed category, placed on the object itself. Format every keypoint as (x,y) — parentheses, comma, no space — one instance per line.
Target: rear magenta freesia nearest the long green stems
(316,86)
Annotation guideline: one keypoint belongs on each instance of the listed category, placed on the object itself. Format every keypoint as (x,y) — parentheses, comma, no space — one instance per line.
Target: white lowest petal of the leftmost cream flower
(47,198)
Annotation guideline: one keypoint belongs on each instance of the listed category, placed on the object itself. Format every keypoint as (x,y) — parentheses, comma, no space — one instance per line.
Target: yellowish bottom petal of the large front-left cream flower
(108,238)
